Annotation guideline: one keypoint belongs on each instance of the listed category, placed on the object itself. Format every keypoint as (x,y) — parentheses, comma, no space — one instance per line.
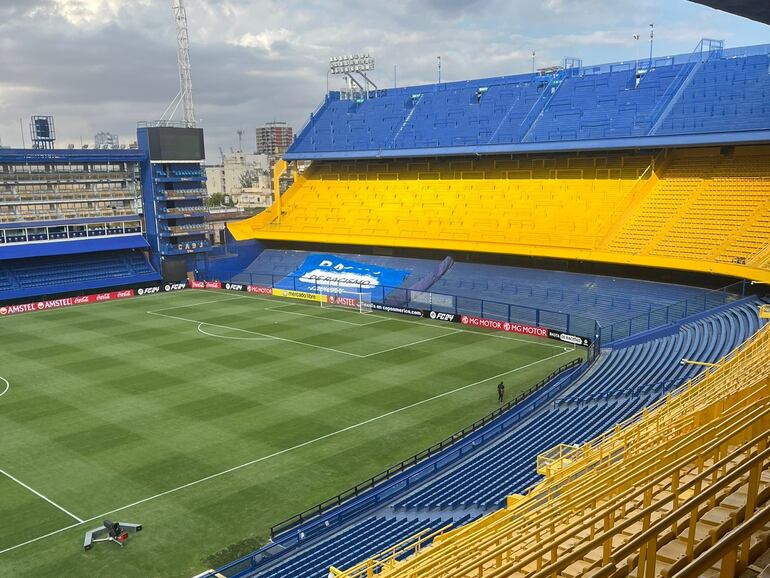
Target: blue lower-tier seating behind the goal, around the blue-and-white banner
(569,302)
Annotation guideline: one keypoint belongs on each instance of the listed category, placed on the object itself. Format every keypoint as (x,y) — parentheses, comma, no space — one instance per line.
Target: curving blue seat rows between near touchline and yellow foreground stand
(624,380)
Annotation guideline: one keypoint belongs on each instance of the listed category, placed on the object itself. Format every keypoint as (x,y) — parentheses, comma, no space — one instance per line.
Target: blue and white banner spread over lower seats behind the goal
(331,274)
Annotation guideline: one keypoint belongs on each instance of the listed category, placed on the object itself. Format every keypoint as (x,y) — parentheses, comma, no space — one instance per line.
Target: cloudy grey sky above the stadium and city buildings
(105,64)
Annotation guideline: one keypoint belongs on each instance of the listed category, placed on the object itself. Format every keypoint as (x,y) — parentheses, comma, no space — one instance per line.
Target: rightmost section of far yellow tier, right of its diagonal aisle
(707,207)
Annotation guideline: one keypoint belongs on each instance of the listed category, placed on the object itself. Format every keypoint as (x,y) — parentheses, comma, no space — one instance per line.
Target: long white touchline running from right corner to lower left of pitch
(282,452)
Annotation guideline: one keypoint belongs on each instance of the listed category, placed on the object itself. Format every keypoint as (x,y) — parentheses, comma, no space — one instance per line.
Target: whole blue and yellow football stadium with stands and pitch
(501,327)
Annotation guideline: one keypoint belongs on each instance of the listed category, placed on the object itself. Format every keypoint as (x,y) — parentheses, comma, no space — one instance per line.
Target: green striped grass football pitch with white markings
(210,416)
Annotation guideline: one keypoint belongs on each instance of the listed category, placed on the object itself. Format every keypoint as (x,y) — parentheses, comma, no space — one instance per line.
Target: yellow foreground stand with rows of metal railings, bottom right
(681,490)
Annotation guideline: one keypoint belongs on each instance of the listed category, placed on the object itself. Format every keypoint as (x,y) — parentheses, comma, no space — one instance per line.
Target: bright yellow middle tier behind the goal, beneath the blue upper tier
(703,210)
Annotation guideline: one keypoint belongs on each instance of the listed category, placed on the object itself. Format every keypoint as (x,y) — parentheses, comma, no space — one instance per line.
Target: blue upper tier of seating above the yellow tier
(712,96)
